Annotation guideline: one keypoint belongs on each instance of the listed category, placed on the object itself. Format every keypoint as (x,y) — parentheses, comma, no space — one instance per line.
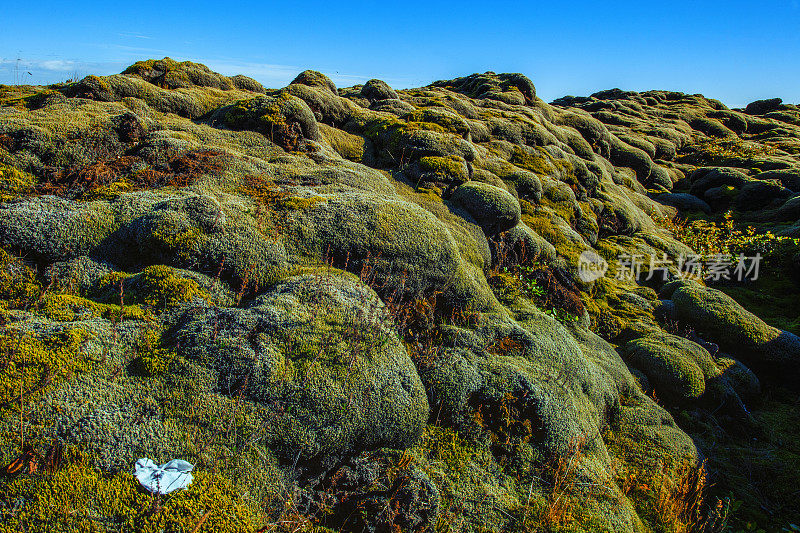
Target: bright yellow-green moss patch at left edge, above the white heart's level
(31,364)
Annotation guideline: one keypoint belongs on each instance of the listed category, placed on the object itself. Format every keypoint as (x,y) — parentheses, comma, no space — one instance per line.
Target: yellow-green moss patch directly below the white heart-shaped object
(81,498)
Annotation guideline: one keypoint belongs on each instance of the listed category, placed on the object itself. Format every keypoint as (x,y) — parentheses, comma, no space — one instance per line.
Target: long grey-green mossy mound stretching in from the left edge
(141,229)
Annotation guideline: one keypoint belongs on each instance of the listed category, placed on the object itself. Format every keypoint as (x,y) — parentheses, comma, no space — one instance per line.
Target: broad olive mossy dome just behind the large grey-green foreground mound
(394,242)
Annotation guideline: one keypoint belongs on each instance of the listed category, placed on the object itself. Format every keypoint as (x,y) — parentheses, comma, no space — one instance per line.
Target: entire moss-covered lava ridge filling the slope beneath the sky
(338,301)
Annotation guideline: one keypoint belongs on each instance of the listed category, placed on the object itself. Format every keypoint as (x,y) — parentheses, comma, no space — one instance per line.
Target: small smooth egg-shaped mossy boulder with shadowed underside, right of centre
(494,209)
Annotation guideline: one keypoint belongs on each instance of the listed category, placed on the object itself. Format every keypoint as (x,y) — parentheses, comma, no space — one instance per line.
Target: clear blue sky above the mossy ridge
(734,51)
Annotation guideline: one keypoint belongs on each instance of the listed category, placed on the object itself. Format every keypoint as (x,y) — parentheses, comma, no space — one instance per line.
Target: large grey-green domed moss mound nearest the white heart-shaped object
(320,353)
